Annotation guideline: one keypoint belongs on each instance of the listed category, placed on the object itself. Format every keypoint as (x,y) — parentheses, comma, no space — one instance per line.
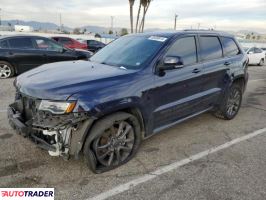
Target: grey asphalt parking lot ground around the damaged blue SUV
(235,172)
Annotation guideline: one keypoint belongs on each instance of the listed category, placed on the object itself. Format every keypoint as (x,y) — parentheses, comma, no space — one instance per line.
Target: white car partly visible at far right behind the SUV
(256,56)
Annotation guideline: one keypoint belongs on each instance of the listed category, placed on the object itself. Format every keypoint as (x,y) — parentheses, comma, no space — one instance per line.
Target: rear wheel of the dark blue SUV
(231,103)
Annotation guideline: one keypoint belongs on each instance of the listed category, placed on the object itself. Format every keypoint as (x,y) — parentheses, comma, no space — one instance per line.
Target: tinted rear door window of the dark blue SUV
(210,47)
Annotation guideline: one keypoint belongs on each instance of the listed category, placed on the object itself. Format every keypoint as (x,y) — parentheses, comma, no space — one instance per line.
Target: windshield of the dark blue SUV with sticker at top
(129,52)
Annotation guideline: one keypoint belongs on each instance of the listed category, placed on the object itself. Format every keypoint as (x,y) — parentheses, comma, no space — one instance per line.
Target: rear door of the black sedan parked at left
(23,52)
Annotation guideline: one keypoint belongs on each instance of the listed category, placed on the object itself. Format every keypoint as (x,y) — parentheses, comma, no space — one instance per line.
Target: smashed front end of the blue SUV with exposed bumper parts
(59,134)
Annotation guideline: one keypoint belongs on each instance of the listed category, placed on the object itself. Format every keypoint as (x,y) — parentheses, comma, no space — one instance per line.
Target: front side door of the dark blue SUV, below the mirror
(177,93)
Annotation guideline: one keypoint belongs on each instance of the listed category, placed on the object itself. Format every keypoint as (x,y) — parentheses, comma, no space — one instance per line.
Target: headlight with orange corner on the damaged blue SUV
(57,107)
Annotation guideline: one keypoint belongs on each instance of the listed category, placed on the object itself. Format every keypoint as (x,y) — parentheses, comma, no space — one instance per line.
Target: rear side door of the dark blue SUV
(215,67)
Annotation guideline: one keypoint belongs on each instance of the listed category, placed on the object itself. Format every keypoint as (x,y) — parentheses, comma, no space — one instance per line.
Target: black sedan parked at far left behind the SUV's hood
(21,53)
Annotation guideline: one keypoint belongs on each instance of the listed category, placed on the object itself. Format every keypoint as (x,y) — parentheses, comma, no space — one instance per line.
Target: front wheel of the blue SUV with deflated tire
(112,142)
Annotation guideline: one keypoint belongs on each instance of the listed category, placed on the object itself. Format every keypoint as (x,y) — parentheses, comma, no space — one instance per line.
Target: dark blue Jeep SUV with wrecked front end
(133,88)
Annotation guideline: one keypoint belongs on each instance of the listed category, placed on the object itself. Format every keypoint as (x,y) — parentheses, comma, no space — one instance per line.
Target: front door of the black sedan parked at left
(53,51)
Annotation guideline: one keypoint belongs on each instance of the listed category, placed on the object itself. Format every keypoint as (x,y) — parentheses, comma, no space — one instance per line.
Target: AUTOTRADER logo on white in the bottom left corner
(27,193)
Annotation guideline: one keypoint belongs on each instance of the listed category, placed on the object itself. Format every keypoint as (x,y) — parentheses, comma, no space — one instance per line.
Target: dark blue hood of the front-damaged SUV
(58,81)
